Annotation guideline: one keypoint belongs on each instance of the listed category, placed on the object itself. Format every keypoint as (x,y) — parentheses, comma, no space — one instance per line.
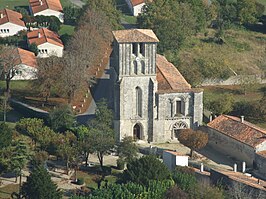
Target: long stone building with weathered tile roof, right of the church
(236,138)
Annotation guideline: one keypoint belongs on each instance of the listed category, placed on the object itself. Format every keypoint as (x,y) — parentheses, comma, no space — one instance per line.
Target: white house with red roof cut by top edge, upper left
(47,8)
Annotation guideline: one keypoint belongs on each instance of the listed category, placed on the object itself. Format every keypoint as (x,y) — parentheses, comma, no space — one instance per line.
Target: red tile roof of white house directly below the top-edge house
(45,36)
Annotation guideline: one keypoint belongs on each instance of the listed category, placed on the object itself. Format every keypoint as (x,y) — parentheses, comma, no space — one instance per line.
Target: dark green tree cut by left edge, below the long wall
(5,135)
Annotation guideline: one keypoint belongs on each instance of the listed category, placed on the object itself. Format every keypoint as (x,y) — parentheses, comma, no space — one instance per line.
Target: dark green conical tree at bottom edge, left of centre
(40,186)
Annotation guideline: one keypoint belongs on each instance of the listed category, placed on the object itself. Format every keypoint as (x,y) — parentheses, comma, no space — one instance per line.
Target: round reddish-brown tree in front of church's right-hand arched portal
(195,140)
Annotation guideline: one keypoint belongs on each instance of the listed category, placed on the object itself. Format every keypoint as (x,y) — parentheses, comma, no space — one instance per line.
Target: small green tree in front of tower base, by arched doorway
(127,149)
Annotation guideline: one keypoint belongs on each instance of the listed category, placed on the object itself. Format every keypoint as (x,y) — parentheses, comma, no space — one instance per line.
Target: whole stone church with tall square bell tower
(151,99)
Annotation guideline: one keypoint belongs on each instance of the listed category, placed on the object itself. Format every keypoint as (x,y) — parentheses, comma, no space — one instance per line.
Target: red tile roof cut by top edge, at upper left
(40,5)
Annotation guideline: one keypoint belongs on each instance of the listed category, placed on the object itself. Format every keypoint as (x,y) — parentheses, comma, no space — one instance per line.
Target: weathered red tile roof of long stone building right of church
(244,132)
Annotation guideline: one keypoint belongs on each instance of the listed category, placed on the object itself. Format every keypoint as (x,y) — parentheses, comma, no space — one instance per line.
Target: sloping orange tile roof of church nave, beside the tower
(168,77)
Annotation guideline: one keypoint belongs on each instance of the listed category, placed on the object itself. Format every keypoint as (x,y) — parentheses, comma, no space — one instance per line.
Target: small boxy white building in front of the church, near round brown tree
(172,159)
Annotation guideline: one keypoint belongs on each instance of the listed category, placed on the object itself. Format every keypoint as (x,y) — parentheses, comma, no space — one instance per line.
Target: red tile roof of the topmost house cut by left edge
(11,16)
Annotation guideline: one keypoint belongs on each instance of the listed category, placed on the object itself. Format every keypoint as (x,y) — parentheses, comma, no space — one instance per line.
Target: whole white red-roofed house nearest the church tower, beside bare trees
(47,41)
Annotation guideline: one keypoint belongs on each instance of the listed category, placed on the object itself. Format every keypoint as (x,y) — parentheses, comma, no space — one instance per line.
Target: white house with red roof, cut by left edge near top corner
(10,23)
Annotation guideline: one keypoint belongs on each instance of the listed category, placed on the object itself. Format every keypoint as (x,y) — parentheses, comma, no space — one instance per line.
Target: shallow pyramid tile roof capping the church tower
(135,35)
